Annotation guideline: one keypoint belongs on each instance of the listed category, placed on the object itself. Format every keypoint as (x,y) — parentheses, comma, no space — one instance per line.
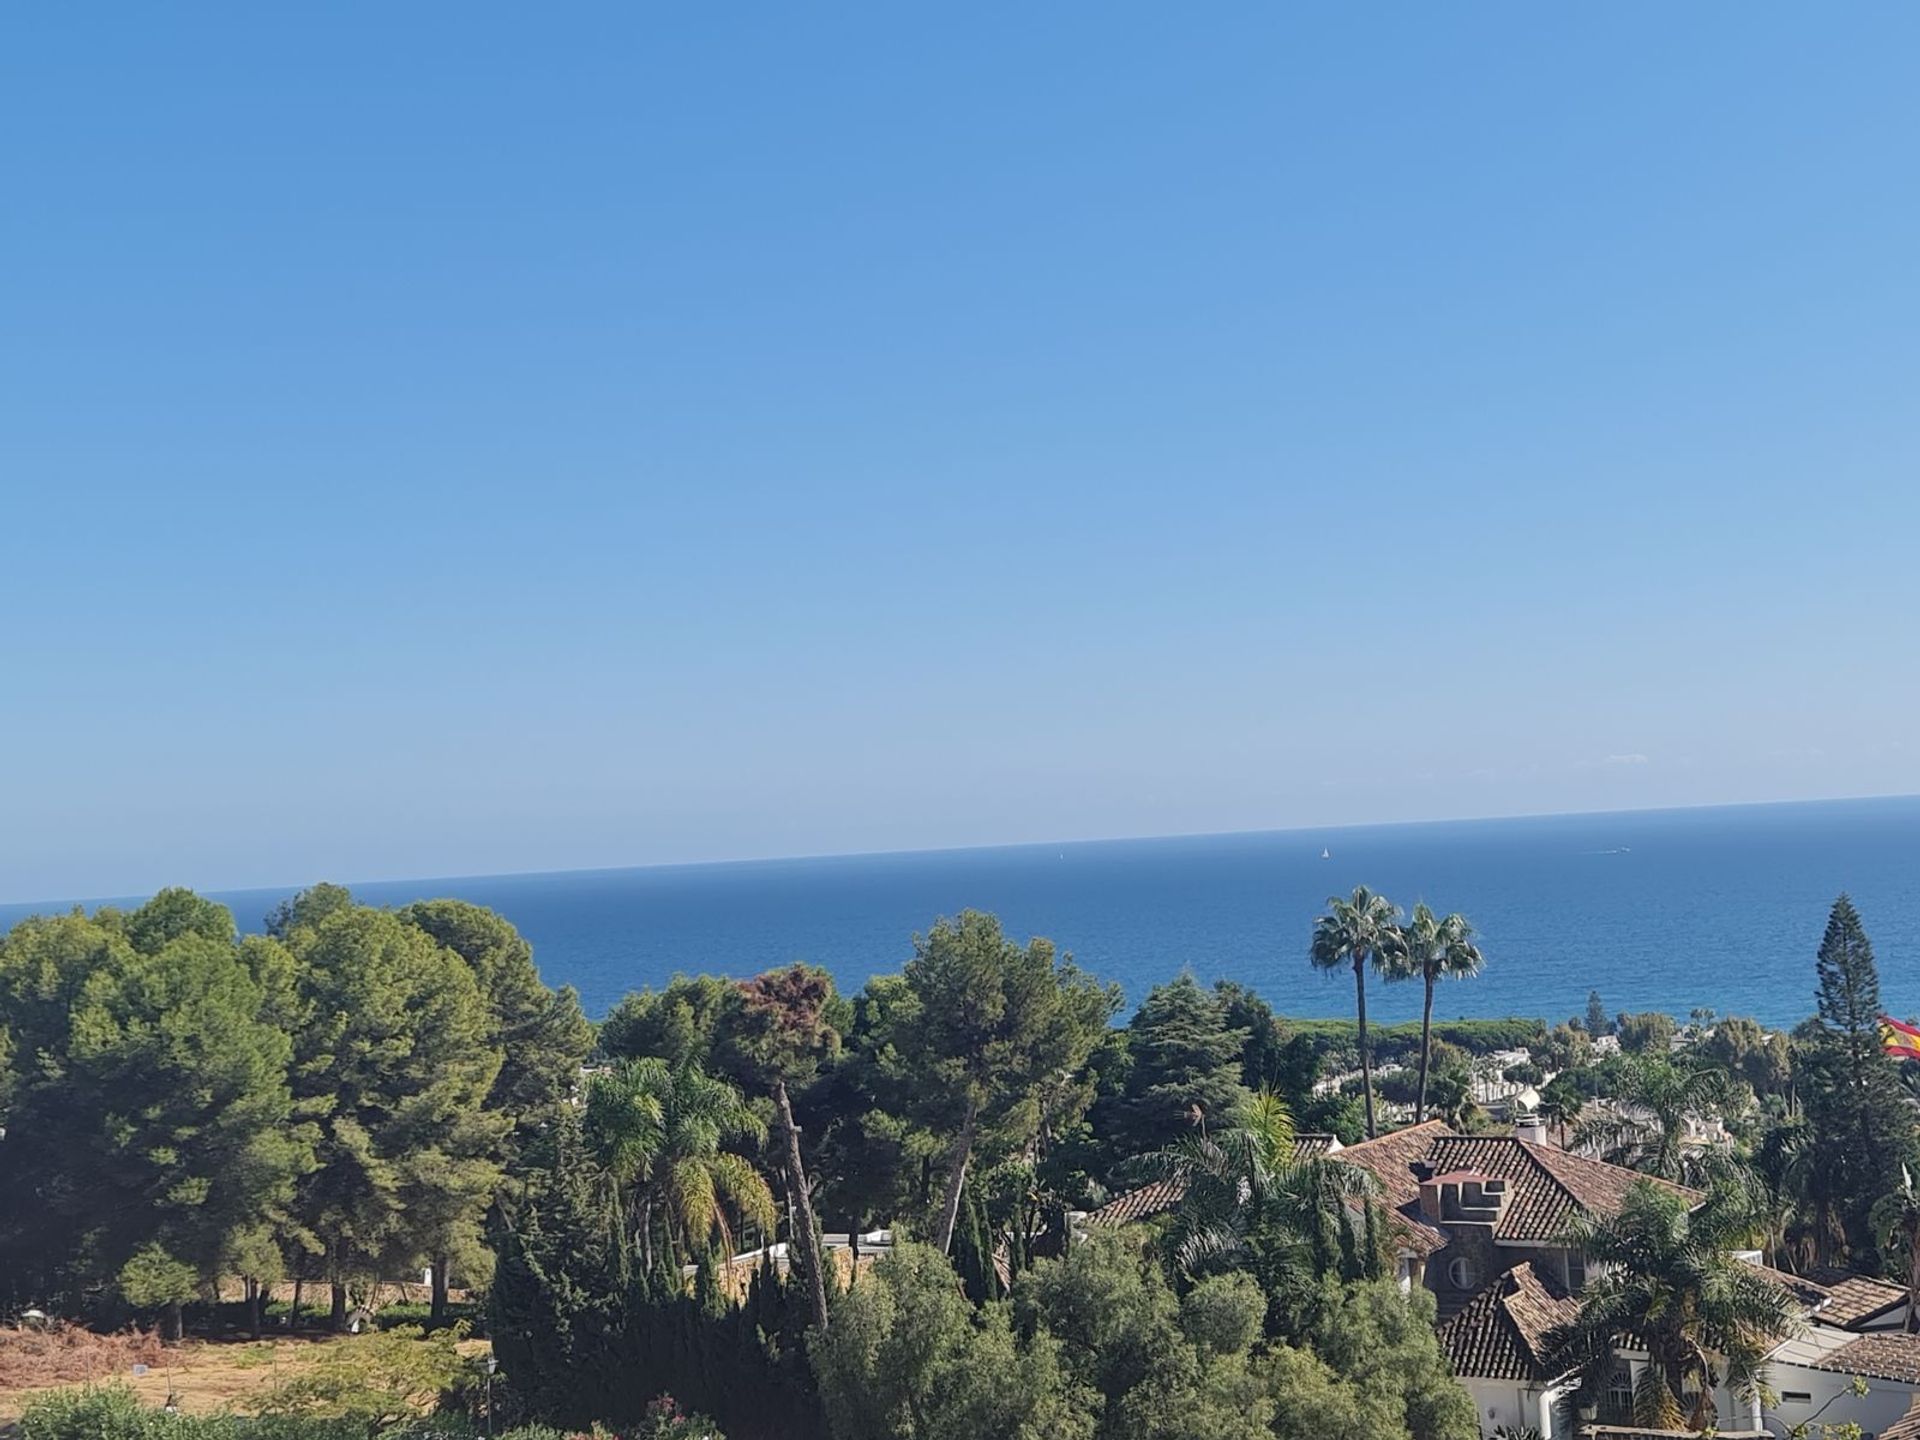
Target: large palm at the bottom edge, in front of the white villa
(1668,1278)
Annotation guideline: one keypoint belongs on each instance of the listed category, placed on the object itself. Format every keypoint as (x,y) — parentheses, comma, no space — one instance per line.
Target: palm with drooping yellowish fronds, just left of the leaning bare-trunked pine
(660,1132)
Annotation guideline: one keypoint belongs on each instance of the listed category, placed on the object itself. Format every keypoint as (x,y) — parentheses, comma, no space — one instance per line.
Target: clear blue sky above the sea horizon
(466,439)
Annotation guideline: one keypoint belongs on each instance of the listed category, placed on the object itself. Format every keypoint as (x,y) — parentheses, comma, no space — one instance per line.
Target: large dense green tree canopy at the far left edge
(153,1107)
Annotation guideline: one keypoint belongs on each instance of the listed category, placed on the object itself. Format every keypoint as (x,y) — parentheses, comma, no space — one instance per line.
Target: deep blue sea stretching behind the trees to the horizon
(1658,911)
